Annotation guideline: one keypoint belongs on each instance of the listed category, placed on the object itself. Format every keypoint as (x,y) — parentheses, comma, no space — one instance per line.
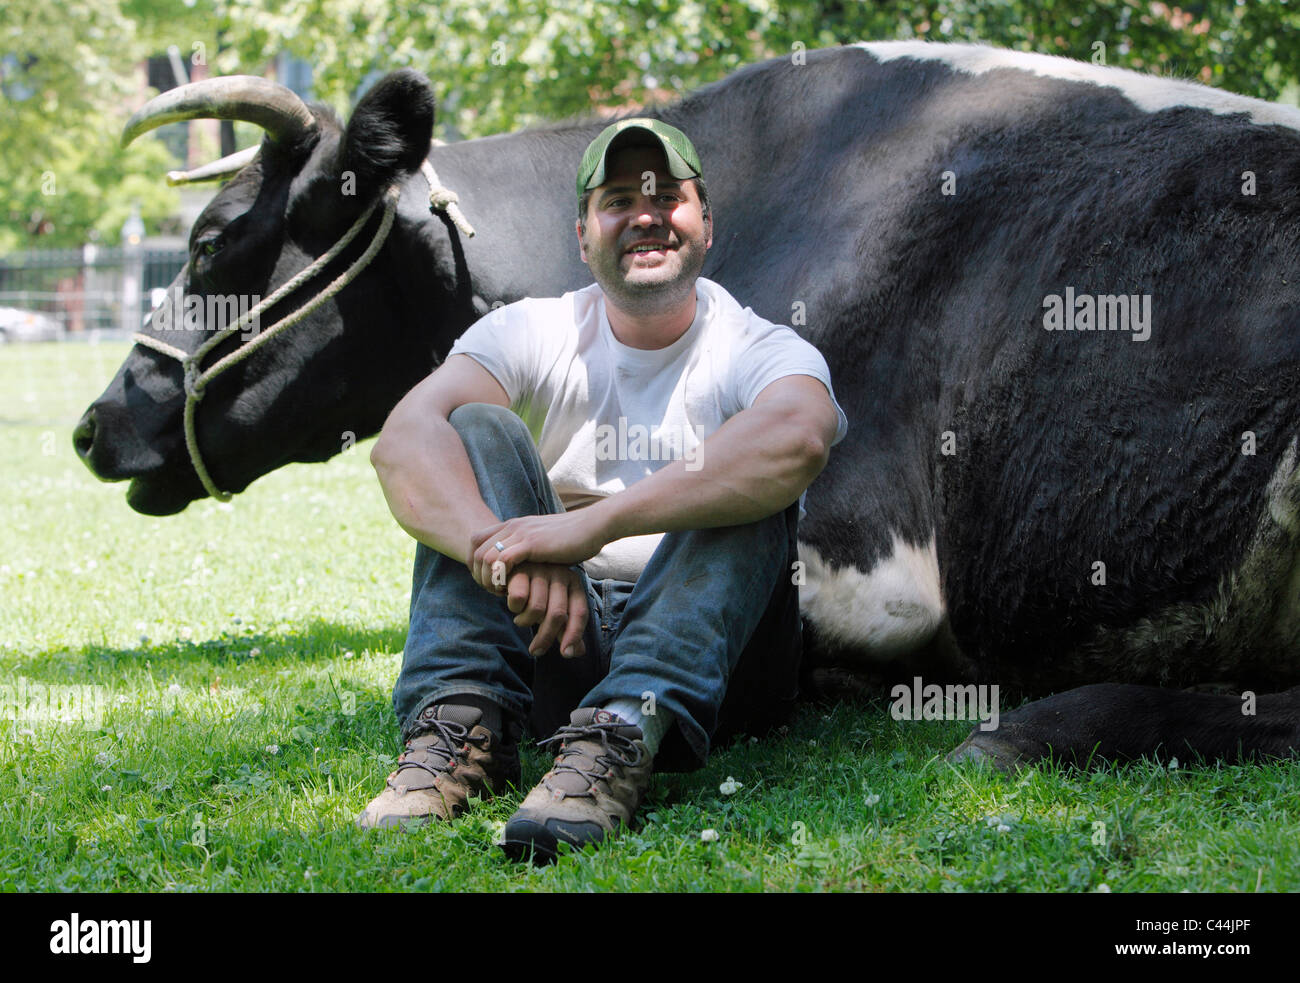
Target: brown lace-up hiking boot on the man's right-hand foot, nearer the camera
(601,773)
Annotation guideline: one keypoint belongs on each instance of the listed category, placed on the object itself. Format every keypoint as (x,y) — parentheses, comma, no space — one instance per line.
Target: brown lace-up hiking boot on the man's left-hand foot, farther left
(449,757)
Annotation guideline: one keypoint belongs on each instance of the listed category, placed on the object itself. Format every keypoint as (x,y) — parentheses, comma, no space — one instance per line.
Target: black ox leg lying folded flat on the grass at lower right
(1117,722)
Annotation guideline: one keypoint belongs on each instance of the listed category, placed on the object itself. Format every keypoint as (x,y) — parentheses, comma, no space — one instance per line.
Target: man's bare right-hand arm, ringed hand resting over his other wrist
(753,466)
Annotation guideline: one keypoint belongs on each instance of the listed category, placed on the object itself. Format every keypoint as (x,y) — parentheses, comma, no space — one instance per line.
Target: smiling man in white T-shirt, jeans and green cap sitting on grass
(605,490)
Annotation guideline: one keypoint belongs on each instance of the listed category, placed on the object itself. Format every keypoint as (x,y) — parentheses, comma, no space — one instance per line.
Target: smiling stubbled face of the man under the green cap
(645,250)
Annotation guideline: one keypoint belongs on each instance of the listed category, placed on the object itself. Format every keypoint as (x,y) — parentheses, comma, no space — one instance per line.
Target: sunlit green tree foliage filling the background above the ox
(67,71)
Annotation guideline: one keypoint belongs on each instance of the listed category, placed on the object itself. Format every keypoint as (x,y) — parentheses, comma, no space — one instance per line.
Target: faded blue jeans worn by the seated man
(712,627)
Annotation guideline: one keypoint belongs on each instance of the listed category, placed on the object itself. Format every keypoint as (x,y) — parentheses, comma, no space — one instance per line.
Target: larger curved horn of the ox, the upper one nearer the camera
(258,101)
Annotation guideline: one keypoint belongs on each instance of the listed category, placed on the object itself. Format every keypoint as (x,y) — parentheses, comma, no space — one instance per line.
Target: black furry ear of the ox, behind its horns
(391,131)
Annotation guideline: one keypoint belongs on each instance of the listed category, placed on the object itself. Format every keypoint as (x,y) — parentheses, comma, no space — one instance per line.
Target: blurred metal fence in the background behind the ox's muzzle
(93,292)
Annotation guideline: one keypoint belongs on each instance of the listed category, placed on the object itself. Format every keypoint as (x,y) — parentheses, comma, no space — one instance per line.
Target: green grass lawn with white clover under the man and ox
(246,653)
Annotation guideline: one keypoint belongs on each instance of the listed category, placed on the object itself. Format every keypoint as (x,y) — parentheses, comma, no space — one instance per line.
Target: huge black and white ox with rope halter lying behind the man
(1060,304)
